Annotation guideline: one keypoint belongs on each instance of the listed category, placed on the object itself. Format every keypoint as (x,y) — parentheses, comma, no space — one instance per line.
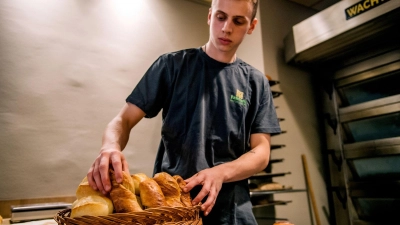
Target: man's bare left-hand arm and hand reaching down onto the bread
(115,138)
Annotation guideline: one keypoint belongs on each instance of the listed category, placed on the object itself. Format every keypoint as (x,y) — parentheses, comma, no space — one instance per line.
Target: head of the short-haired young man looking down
(230,21)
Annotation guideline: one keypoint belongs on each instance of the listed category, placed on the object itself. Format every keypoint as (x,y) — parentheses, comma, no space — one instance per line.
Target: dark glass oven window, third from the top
(386,167)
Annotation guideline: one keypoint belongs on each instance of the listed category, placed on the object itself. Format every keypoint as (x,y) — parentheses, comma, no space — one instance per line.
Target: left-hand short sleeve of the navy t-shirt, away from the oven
(151,92)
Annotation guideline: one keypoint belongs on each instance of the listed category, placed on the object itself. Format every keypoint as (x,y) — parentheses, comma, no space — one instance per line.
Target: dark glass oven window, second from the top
(379,127)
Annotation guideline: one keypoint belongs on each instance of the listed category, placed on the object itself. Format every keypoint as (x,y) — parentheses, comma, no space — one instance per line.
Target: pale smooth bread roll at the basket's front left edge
(94,205)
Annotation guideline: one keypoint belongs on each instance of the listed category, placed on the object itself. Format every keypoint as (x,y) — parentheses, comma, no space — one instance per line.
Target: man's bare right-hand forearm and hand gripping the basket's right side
(245,166)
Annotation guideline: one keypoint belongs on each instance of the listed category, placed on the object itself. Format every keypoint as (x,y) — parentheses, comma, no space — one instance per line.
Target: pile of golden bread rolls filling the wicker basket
(134,194)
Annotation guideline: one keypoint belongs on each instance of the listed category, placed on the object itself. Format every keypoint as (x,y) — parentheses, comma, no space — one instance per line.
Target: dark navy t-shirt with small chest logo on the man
(209,110)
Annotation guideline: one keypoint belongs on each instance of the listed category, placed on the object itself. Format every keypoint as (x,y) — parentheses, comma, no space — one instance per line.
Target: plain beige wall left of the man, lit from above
(66,69)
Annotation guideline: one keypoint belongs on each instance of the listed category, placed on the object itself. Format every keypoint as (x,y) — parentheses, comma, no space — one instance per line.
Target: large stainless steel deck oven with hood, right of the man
(355,63)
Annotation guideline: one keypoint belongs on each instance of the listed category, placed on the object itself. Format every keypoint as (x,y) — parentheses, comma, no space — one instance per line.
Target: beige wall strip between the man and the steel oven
(297,106)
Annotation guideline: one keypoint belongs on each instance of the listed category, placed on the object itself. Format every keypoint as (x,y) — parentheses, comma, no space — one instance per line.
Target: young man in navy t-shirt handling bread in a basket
(217,115)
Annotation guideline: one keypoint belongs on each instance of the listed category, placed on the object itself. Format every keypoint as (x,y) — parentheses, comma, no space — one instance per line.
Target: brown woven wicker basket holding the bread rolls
(161,215)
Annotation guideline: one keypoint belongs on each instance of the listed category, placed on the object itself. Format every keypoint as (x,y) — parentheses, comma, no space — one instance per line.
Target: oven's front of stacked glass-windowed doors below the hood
(369,118)
